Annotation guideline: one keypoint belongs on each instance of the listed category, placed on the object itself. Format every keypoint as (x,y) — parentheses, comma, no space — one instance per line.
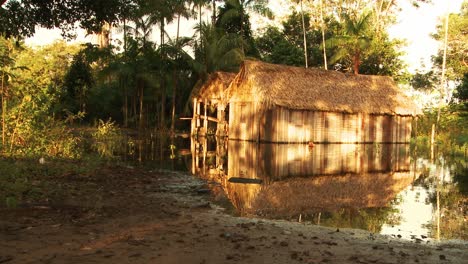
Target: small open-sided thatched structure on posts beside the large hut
(212,93)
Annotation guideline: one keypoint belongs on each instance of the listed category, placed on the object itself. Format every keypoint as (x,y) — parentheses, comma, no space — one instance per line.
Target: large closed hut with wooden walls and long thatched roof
(276,103)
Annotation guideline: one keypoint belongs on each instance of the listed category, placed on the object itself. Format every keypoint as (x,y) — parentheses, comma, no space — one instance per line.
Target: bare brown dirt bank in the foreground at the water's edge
(127,215)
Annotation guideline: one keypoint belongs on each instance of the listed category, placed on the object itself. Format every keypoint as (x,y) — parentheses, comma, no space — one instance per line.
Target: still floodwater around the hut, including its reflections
(382,188)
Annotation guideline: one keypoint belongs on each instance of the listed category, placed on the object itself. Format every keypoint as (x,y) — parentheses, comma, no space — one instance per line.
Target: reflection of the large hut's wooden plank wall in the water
(280,161)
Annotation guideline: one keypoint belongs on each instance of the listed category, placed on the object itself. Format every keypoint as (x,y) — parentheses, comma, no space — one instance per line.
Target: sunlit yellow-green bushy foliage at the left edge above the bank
(31,96)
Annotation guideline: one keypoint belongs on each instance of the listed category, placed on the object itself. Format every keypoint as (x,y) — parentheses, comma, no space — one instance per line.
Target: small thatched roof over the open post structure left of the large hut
(214,87)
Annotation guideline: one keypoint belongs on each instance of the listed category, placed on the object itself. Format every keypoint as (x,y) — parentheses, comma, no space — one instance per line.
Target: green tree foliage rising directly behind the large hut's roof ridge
(351,45)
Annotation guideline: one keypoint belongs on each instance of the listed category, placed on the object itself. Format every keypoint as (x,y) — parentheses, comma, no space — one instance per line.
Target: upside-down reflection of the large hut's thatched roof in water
(319,193)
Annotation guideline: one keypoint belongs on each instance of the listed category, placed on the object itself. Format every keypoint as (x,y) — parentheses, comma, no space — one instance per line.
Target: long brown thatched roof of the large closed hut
(318,89)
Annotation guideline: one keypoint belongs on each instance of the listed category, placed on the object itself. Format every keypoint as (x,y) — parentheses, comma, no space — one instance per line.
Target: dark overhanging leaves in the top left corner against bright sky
(19,18)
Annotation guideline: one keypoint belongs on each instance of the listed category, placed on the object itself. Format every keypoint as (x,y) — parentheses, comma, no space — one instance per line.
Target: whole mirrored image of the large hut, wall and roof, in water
(297,179)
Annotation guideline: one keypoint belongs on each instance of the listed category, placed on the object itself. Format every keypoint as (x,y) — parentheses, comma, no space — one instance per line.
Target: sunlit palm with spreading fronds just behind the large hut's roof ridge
(353,42)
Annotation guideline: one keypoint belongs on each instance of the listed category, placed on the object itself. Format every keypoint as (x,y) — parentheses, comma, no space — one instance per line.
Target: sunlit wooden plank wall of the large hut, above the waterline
(253,122)
